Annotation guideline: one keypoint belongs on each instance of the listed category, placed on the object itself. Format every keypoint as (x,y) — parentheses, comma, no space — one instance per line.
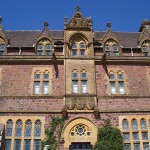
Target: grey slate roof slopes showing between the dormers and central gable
(27,38)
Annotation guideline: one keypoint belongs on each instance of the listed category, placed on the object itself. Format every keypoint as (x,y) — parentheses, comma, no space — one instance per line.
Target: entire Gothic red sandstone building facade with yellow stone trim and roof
(77,73)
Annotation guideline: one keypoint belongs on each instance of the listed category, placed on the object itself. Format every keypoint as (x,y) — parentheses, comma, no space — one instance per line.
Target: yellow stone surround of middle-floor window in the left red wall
(41,71)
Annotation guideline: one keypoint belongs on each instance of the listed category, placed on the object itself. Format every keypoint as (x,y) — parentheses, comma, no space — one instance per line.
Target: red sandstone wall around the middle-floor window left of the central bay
(17,79)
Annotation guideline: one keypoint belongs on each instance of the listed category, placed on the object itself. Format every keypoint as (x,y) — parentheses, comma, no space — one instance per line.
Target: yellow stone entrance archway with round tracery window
(79,130)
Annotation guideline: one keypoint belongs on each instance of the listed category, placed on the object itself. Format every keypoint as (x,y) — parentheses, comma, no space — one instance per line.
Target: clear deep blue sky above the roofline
(125,15)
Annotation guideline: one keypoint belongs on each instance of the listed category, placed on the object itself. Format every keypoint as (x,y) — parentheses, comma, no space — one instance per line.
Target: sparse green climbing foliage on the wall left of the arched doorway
(54,133)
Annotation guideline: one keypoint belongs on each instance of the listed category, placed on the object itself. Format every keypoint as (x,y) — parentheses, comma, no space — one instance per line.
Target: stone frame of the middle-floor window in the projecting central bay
(79,80)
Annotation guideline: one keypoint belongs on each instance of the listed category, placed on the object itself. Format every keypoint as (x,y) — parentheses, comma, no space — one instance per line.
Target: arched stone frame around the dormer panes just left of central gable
(44,42)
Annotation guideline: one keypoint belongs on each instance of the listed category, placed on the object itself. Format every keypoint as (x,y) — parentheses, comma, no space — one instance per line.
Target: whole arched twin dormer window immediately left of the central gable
(44,47)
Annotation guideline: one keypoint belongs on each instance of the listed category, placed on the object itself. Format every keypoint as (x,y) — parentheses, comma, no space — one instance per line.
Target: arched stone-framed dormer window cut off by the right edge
(145,47)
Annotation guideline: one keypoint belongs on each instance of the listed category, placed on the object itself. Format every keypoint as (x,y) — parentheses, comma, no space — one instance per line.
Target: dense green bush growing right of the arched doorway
(109,138)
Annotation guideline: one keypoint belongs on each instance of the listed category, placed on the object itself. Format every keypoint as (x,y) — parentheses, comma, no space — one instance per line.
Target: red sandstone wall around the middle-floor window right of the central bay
(137,79)
